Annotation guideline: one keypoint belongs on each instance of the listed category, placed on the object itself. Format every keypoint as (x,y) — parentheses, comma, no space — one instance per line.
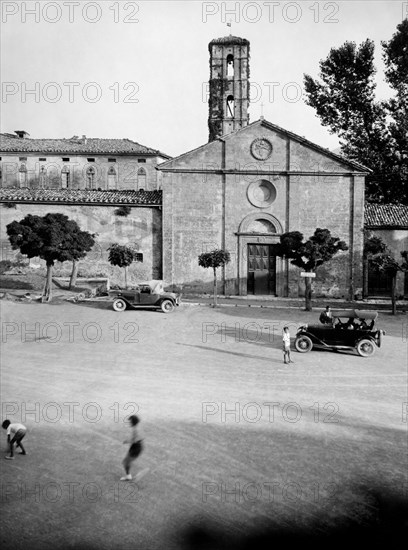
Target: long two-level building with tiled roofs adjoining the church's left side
(88,180)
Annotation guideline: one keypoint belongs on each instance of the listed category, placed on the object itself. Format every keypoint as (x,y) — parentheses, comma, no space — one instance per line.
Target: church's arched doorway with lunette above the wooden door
(260,270)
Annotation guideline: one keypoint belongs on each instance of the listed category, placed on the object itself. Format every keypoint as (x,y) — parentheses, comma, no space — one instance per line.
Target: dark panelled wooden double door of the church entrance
(261,269)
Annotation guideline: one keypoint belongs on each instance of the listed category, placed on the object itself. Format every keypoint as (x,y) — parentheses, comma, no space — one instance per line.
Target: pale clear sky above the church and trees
(139,70)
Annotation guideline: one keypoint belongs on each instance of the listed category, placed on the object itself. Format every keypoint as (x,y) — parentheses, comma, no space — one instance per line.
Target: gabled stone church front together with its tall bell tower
(249,184)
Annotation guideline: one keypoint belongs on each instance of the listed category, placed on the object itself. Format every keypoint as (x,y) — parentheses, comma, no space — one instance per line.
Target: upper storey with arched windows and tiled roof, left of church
(78,163)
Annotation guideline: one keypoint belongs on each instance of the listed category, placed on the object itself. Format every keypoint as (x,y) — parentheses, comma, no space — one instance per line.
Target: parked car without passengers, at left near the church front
(148,295)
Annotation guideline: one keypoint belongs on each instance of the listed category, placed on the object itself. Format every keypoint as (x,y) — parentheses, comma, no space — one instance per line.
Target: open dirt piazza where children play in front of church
(234,439)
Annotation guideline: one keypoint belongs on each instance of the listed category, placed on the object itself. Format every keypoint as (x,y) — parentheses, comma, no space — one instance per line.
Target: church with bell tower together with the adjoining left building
(240,191)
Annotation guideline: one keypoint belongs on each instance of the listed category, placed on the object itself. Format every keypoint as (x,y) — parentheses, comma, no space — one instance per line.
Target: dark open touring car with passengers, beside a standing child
(351,330)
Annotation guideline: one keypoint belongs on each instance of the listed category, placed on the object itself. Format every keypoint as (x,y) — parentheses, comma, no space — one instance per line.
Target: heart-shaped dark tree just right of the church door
(309,255)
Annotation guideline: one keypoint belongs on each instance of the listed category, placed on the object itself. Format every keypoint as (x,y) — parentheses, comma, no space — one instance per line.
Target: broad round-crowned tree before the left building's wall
(53,238)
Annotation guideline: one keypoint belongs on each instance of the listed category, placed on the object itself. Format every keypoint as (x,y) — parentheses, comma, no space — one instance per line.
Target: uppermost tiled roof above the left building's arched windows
(12,143)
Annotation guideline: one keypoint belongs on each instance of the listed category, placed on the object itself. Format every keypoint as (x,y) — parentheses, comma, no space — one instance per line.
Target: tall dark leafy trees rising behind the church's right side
(373,133)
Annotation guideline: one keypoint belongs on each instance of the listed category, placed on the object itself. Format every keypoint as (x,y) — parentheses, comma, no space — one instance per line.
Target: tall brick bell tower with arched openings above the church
(229,85)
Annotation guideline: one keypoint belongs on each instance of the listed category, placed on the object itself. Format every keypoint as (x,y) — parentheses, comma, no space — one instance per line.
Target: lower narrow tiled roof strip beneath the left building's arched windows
(80,196)
